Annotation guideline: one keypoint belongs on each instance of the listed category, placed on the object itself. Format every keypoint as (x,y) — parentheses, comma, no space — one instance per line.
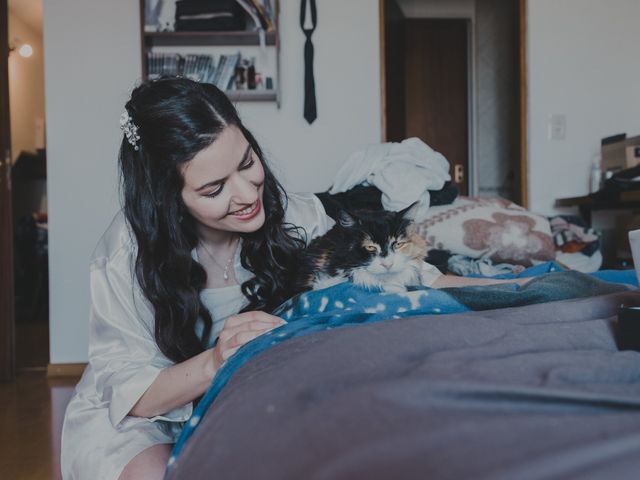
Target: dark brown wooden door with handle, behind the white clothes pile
(425,80)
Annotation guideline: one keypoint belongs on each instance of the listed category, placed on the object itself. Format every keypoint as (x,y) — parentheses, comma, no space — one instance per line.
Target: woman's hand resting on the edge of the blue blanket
(240,329)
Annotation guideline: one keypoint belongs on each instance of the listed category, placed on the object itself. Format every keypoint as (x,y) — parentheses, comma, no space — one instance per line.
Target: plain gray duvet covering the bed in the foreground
(535,392)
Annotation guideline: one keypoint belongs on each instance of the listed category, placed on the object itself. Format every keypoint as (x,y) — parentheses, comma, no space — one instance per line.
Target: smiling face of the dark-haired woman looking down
(223,186)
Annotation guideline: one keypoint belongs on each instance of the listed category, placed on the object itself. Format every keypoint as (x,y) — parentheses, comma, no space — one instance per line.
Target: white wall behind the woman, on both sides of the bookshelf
(90,67)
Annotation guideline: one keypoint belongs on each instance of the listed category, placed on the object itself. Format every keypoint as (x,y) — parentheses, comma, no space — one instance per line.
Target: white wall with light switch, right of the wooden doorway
(582,58)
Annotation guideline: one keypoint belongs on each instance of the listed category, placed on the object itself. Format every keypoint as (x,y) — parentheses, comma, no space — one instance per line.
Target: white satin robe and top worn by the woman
(98,437)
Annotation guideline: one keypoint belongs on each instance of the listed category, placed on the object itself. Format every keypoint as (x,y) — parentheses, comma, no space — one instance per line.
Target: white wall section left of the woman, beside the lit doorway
(92,57)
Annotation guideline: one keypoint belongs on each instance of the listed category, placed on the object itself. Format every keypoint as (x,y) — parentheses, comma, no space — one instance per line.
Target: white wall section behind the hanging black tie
(347,73)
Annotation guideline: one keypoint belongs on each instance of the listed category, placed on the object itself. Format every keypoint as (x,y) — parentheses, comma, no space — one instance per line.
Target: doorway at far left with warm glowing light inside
(24,250)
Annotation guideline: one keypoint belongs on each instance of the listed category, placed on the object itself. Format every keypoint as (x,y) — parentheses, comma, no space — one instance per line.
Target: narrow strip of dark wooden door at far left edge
(7,325)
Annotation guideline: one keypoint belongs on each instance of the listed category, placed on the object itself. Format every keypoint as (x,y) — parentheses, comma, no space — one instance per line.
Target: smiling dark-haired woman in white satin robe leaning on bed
(202,236)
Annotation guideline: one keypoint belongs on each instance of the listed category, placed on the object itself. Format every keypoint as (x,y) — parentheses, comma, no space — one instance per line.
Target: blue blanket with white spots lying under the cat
(346,305)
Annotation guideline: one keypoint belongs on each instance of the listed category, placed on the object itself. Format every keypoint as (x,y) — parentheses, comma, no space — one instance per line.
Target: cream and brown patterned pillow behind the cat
(492,228)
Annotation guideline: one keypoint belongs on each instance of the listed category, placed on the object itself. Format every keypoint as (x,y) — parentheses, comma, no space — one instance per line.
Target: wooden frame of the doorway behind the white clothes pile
(523,180)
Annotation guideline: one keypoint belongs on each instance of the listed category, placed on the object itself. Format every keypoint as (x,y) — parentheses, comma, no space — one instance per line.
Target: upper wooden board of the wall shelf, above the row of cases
(155,39)
